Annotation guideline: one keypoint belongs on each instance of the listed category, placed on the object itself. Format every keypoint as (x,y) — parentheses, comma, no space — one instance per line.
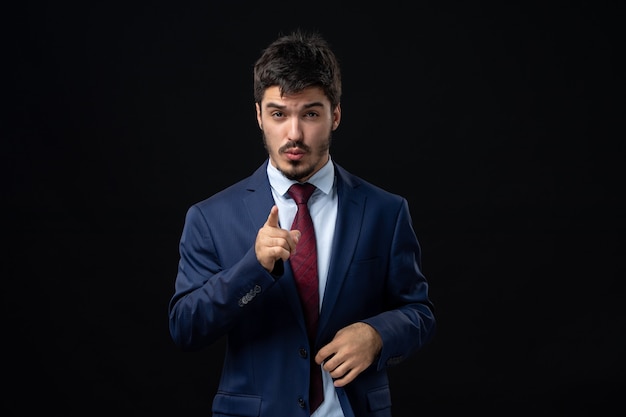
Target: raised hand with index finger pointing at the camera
(273,242)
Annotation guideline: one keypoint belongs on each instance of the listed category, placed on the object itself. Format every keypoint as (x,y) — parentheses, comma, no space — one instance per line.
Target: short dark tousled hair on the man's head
(297,61)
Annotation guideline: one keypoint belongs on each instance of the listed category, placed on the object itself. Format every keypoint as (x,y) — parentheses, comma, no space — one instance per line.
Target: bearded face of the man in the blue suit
(297,130)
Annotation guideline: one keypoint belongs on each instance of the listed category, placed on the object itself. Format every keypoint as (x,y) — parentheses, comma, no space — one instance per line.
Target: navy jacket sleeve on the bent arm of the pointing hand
(210,297)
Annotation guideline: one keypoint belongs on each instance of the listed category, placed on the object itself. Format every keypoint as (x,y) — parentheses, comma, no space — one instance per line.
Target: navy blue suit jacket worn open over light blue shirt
(222,290)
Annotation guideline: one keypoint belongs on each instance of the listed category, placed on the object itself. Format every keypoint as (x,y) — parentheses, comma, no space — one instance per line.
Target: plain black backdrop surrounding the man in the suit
(505,122)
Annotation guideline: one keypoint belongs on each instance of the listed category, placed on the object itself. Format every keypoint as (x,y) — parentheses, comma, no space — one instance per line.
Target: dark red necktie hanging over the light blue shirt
(304,266)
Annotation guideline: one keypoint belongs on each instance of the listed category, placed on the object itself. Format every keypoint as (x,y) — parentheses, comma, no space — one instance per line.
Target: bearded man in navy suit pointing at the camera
(238,273)
